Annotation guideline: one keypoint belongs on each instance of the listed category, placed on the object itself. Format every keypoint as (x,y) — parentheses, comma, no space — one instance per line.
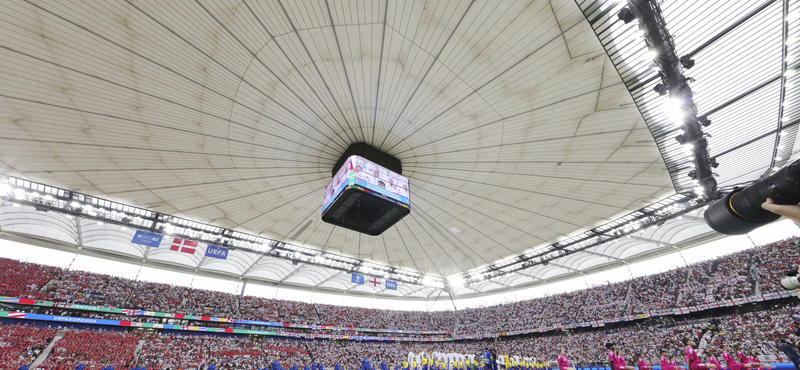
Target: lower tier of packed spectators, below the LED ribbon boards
(756,332)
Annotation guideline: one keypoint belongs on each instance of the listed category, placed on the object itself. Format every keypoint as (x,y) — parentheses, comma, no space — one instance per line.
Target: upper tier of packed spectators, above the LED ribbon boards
(754,271)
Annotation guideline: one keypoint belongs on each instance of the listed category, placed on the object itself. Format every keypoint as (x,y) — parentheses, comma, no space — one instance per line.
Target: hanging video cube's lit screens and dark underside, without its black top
(365,197)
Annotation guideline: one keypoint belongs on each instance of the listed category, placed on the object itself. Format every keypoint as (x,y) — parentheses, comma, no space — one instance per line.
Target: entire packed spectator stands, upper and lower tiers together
(753,271)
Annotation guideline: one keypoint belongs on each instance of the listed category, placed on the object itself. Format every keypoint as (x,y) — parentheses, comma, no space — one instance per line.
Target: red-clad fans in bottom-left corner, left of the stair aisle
(22,343)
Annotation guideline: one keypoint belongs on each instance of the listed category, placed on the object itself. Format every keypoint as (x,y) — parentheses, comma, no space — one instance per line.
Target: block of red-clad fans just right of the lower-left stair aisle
(93,349)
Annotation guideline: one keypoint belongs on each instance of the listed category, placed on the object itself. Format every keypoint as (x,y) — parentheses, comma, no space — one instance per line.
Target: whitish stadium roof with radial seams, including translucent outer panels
(512,123)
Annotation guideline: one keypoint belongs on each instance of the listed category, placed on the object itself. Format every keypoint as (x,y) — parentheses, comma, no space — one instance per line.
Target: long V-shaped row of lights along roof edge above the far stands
(46,198)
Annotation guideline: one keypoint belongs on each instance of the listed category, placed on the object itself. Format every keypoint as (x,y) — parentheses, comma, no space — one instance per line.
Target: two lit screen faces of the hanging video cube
(358,171)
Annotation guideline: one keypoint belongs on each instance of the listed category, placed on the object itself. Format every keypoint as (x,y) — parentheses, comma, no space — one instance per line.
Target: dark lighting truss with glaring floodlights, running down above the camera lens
(680,106)
